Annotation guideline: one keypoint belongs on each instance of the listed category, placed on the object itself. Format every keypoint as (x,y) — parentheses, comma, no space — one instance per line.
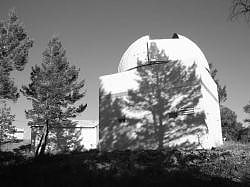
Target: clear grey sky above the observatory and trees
(95,34)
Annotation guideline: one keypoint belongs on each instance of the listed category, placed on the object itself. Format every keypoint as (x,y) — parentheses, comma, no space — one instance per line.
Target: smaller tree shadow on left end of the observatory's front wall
(114,133)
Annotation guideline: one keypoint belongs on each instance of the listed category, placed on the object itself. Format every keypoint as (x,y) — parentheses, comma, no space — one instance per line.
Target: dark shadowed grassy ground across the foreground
(124,168)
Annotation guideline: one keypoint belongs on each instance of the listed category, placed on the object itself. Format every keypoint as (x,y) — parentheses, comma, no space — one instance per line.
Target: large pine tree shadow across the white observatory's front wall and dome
(160,113)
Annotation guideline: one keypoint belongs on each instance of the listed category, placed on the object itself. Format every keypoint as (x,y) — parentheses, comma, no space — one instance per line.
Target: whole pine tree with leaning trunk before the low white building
(54,91)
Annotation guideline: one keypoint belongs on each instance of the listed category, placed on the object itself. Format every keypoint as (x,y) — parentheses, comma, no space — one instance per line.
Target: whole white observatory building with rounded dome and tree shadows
(162,96)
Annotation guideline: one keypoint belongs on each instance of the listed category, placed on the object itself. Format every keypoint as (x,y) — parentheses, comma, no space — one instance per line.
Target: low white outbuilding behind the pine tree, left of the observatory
(83,135)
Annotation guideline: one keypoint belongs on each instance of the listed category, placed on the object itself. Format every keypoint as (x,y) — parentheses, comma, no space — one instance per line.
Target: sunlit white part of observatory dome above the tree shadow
(176,48)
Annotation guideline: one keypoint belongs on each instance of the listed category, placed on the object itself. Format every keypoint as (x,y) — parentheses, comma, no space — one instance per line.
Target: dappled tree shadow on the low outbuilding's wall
(63,137)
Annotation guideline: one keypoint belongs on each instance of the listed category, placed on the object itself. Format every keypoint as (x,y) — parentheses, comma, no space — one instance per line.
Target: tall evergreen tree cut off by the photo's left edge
(14,48)
